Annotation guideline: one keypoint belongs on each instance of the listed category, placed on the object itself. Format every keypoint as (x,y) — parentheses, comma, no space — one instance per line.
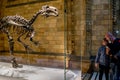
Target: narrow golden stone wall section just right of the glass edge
(75,31)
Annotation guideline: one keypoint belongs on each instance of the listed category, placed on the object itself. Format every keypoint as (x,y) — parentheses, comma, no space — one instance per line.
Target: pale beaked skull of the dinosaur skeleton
(49,11)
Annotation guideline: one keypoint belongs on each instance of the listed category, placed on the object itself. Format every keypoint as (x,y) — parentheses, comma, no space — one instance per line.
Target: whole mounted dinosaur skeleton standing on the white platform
(22,26)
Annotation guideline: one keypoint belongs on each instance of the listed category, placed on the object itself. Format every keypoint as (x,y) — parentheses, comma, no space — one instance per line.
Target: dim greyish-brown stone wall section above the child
(102,22)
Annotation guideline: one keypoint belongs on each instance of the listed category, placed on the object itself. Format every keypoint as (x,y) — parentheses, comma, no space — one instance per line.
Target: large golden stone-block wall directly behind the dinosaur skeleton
(49,33)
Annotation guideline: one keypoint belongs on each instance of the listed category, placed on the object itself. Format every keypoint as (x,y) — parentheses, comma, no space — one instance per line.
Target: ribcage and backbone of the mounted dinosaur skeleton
(5,26)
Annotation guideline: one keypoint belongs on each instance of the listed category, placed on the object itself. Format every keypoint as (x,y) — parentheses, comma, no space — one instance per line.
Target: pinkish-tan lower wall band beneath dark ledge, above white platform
(36,59)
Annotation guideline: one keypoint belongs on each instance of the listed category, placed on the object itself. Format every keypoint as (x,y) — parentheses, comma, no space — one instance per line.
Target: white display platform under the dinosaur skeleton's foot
(36,73)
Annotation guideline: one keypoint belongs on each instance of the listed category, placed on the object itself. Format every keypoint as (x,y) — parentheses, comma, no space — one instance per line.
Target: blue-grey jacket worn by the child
(101,57)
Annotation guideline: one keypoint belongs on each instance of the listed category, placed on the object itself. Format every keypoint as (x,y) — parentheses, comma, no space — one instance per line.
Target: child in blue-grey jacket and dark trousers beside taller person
(102,60)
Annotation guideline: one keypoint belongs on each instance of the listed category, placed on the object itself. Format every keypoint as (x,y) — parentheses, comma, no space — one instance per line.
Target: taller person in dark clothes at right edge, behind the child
(114,45)
